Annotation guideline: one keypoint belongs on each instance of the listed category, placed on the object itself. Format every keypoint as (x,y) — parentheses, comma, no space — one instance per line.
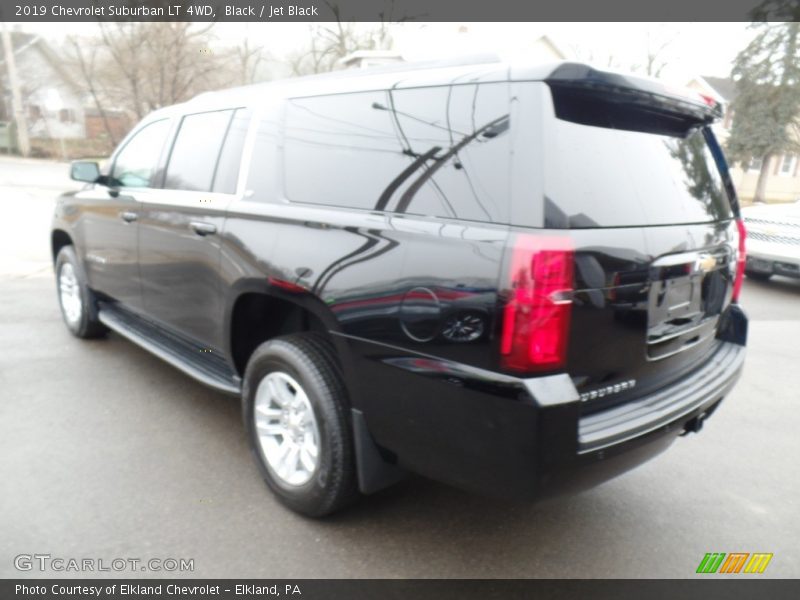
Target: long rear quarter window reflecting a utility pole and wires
(438,151)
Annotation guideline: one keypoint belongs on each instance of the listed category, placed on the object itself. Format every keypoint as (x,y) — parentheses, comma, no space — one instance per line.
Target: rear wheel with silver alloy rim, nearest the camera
(295,410)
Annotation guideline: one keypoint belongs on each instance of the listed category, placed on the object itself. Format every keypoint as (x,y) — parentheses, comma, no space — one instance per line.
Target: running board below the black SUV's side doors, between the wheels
(197,362)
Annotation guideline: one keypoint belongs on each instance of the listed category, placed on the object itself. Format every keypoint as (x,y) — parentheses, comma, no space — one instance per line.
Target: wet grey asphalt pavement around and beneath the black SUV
(106,452)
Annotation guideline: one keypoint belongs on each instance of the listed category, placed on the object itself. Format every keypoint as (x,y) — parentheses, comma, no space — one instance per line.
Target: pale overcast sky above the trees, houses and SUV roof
(691,48)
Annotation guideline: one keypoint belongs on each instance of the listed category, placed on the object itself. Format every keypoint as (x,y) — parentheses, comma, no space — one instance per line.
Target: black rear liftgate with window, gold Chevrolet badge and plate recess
(646,207)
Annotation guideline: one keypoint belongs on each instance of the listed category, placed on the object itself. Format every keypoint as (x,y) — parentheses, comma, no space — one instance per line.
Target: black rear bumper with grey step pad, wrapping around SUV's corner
(528,438)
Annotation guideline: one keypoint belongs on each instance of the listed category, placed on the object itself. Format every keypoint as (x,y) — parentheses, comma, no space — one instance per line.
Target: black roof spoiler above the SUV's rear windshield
(682,106)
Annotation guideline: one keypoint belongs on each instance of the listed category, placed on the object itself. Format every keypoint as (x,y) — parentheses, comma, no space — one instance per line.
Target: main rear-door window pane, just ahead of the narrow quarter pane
(196,149)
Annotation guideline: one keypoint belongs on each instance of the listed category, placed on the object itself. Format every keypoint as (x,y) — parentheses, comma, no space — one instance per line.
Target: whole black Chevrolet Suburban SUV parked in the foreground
(516,280)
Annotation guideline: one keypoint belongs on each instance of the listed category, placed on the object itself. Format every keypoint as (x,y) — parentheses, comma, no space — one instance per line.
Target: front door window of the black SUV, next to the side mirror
(135,164)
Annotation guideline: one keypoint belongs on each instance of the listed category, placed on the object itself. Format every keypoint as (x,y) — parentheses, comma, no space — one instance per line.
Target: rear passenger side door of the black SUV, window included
(179,249)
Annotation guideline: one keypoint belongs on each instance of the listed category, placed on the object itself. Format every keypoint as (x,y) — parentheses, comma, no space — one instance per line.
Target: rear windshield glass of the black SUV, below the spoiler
(599,176)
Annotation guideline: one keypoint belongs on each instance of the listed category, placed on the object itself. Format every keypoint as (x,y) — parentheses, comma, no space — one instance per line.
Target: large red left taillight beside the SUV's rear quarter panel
(536,316)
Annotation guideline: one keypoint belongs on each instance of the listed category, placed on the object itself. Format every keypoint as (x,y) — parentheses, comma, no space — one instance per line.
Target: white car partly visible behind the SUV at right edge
(773,240)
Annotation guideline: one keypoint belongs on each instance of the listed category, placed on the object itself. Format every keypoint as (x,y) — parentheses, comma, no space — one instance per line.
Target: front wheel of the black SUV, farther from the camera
(78,303)
